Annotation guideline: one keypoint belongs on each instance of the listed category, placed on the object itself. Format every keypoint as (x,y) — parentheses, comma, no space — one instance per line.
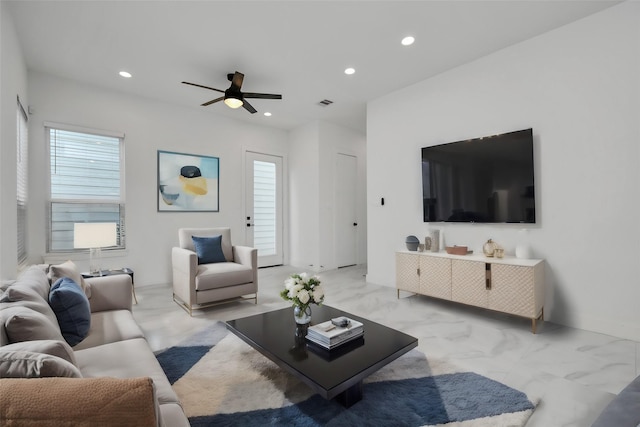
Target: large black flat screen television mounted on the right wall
(485,180)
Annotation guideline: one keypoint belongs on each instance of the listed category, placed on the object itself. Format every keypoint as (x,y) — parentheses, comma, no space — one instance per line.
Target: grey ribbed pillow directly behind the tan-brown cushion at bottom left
(28,364)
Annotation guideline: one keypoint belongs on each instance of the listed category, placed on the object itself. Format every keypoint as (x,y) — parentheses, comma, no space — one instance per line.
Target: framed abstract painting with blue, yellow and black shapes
(188,182)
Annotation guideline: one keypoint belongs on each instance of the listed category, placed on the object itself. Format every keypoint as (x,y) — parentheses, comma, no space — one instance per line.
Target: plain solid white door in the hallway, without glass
(346,238)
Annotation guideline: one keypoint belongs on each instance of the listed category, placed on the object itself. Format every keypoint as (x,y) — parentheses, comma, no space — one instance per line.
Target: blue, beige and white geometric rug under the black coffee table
(222,381)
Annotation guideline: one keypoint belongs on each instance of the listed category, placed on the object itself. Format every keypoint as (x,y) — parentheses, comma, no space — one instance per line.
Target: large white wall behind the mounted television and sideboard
(579,88)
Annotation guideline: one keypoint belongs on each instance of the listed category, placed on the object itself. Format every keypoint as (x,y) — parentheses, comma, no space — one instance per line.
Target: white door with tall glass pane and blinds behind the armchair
(263,203)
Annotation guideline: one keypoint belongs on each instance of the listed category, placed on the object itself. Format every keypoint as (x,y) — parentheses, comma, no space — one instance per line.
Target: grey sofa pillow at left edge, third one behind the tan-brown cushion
(24,324)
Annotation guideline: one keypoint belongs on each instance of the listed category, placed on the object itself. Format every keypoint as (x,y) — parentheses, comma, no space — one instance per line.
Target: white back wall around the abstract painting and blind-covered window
(149,126)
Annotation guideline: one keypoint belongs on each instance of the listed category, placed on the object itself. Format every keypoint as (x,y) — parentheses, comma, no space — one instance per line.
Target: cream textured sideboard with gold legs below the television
(509,285)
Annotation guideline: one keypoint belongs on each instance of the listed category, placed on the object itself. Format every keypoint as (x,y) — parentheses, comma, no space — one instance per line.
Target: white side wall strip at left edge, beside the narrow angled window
(13,83)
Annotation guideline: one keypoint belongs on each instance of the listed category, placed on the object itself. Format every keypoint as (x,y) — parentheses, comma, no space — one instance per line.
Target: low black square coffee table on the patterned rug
(332,374)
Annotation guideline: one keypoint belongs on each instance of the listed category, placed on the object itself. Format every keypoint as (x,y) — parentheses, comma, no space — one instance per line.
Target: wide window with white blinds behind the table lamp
(86,182)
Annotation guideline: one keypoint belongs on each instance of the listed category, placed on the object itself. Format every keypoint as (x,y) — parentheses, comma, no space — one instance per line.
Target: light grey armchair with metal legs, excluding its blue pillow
(202,285)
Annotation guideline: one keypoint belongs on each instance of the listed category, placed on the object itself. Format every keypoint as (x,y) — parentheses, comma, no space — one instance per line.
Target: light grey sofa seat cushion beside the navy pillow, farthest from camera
(110,326)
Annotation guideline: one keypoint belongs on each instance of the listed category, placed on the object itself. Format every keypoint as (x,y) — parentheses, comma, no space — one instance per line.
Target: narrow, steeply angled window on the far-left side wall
(22,170)
